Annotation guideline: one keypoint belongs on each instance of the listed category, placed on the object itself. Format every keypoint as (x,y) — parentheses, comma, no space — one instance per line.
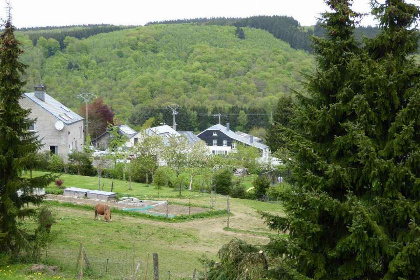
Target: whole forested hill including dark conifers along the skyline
(214,66)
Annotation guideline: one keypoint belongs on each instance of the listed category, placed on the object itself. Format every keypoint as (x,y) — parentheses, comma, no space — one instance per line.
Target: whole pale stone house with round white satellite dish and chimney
(59,129)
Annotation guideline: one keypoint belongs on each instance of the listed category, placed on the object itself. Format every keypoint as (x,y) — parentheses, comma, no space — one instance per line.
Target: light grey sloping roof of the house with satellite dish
(55,108)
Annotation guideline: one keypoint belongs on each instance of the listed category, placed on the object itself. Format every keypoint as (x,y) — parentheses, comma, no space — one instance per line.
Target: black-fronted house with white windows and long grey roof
(222,140)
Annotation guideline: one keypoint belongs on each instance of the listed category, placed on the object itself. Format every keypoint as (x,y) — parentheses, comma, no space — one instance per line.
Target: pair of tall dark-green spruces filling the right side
(355,155)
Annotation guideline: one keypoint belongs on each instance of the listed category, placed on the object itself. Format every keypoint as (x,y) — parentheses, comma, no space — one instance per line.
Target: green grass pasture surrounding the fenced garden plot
(114,248)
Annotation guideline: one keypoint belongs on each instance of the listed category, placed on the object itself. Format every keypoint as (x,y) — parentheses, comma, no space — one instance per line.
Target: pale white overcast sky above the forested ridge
(31,13)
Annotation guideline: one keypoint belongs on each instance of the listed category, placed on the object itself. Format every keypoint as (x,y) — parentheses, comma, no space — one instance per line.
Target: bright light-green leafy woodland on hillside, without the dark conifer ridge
(191,65)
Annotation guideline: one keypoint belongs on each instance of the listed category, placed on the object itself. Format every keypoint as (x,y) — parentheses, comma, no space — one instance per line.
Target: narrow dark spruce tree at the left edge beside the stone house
(17,150)
